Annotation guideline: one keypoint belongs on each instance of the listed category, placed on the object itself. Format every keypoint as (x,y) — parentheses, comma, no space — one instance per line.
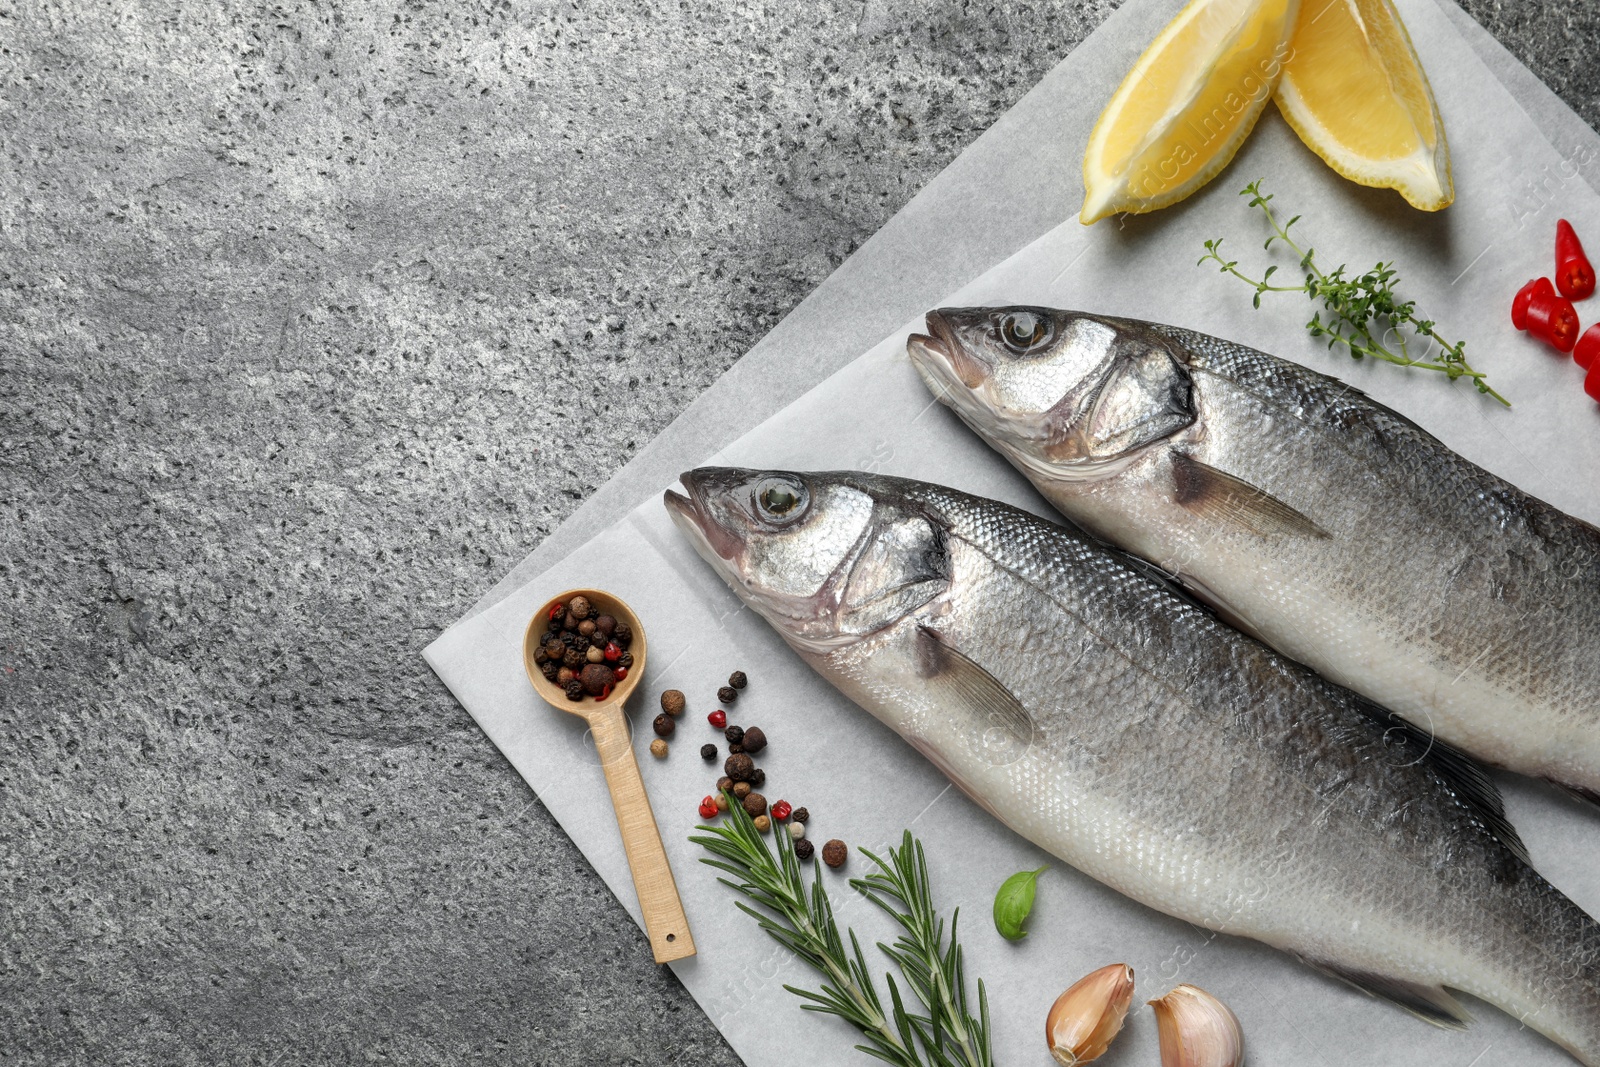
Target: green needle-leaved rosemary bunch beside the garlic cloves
(943,1034)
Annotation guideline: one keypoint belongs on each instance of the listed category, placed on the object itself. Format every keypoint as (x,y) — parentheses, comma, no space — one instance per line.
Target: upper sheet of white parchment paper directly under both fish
(866,786)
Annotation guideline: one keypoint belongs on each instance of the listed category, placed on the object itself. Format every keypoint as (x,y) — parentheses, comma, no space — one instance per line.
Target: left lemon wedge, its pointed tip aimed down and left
(1186,106)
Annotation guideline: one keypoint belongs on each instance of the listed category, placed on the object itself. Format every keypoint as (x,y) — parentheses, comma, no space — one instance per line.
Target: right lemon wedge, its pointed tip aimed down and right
(1358,97)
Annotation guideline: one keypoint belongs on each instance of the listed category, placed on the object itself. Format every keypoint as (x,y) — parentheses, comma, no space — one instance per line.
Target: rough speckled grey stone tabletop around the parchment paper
(314,321)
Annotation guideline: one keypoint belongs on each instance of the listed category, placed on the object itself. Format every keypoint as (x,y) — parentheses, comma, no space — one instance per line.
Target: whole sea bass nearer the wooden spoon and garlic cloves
(1114,722)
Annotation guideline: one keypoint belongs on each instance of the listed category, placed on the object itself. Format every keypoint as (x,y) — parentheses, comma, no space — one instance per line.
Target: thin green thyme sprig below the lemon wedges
(1364,311)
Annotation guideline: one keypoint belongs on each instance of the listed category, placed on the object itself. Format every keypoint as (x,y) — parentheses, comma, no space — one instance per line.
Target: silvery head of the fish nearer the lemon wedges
(1057,391)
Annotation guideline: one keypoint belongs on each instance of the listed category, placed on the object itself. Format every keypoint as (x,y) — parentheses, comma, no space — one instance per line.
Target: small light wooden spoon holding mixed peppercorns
(658,895)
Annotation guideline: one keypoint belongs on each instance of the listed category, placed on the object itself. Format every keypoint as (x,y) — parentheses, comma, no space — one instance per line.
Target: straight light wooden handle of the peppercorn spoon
(666,925)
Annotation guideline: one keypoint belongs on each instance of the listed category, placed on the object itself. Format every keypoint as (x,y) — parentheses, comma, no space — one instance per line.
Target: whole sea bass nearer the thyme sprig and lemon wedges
(1306,514)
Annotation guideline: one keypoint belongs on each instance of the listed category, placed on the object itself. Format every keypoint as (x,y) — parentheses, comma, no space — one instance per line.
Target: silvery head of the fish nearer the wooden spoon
(828,559)
